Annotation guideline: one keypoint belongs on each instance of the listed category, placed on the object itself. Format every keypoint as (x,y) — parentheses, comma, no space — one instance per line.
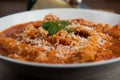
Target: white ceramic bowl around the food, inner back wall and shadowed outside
(61,71)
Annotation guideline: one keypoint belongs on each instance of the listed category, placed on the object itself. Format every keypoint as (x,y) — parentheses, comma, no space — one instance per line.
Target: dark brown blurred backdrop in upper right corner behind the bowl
(108,5)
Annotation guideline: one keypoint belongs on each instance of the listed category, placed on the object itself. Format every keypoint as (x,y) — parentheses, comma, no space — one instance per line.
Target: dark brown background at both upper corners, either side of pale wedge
(14,6)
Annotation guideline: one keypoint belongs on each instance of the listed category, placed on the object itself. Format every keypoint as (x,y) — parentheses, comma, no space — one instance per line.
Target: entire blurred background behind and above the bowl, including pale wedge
(13,6)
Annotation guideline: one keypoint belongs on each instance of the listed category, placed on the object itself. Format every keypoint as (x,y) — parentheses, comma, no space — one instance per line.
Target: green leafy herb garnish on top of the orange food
(54,26)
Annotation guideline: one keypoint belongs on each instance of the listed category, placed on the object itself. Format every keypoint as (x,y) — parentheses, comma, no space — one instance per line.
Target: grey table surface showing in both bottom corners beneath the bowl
(7,74)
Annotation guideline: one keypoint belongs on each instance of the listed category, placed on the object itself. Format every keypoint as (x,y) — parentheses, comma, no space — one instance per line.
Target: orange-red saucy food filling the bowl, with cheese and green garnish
(57,41)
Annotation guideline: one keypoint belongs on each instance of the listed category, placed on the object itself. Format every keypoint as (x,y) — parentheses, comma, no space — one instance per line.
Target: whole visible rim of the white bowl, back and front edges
(60,65)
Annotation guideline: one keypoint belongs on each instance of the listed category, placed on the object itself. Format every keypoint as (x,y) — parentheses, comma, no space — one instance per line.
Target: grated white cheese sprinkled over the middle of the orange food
(40,38)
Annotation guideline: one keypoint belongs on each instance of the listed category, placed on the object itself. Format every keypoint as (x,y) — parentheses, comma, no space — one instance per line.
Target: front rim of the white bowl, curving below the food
(78,65)
